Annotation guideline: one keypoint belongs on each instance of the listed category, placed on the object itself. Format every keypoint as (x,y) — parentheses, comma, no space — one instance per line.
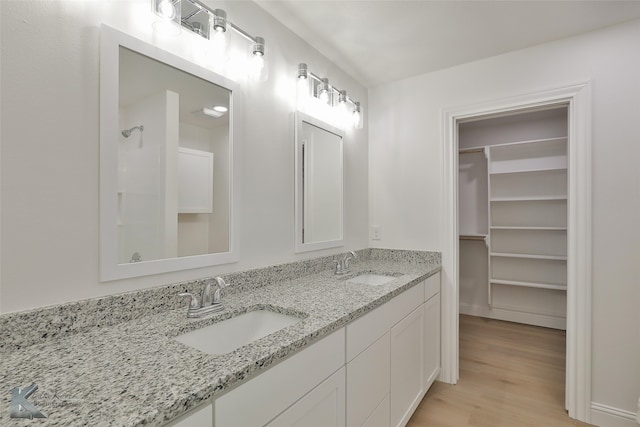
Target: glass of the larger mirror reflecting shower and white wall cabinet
(162,181)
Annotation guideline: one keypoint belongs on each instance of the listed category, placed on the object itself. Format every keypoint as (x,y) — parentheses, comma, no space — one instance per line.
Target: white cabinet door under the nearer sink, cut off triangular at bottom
(324,406)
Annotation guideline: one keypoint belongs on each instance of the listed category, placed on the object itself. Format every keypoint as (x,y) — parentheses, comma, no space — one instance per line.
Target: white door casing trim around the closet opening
(576,100)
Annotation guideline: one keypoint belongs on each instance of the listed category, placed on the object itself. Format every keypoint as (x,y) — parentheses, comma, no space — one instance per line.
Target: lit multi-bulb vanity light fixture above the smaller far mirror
(349,109)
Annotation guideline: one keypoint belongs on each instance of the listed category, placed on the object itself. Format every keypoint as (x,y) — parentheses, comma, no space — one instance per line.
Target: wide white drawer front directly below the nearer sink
(257,401)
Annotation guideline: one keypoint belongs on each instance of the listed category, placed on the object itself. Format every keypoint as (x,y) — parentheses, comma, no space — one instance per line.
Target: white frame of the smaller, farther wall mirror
(300,246)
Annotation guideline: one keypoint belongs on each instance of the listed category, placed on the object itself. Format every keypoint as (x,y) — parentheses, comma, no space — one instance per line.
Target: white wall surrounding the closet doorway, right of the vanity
(406,172)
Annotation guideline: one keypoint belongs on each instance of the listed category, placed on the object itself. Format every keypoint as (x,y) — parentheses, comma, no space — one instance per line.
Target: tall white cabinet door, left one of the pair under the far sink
(407,366)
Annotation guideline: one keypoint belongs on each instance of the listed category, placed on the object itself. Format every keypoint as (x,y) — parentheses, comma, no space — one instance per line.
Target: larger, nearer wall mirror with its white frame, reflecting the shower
(166,161)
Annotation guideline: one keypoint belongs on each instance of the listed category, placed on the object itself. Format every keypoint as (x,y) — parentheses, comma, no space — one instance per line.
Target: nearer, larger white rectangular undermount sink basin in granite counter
(230,334)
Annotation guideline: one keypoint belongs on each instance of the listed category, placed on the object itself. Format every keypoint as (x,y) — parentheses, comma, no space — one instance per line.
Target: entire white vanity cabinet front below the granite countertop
(371,373)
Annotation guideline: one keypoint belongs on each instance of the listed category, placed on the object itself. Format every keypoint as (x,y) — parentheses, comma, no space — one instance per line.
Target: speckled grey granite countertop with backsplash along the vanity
(129,371)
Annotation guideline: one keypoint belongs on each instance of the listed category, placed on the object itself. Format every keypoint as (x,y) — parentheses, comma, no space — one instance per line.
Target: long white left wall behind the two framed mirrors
(50,128)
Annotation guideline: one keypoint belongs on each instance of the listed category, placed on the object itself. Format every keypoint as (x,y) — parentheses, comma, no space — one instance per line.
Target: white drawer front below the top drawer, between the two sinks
(368,381)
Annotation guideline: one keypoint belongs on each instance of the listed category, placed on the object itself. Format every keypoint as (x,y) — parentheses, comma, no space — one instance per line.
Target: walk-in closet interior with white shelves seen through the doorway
(512,216)
